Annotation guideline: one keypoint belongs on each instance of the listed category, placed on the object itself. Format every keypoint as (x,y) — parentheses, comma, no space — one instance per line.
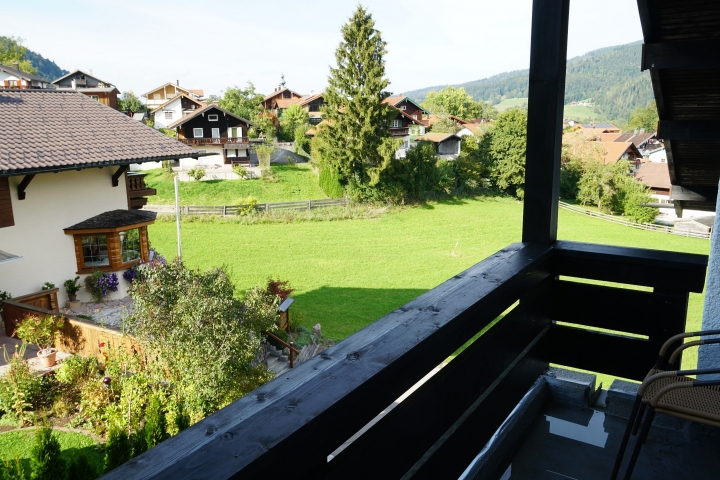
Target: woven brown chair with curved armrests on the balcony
(674,393)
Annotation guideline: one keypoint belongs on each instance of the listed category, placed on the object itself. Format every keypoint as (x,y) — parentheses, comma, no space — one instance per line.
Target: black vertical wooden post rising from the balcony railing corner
(546,99)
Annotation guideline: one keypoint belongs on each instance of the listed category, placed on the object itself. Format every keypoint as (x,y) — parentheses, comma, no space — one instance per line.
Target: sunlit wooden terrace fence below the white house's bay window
(79,336)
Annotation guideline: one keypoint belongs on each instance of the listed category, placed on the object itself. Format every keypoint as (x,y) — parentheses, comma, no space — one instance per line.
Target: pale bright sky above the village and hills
(138,45)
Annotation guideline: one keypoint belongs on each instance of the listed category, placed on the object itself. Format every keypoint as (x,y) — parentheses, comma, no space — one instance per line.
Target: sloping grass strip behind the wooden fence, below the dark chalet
(296,183)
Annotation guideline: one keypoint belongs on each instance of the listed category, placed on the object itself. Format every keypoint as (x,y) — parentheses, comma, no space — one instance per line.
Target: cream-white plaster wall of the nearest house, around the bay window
(55,201)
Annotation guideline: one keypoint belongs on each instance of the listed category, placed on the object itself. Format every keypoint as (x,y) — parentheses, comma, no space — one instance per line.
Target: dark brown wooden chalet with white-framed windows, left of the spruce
(213,129)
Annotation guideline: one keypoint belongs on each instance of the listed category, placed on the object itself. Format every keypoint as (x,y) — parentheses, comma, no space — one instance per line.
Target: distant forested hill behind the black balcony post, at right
(611,77)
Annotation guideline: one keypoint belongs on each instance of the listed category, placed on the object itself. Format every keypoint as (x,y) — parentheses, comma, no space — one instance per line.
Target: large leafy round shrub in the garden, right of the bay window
(181,314)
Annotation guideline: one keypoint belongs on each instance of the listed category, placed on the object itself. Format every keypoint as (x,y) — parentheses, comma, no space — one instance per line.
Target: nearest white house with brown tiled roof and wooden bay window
(67,206)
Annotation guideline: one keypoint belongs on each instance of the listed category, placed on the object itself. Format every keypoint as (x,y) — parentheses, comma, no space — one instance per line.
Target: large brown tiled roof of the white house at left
(49,130)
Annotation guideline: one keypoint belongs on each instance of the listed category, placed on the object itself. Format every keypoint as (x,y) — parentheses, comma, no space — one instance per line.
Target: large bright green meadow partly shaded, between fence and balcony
(349,273)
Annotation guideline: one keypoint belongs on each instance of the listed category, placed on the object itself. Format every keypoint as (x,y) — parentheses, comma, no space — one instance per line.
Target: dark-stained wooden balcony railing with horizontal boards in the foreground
(536,313)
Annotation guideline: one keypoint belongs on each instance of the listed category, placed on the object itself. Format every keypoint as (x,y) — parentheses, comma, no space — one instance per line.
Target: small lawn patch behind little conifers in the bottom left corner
(19,443)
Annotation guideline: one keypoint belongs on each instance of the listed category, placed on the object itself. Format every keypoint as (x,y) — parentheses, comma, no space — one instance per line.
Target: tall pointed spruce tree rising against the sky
(356,137)
